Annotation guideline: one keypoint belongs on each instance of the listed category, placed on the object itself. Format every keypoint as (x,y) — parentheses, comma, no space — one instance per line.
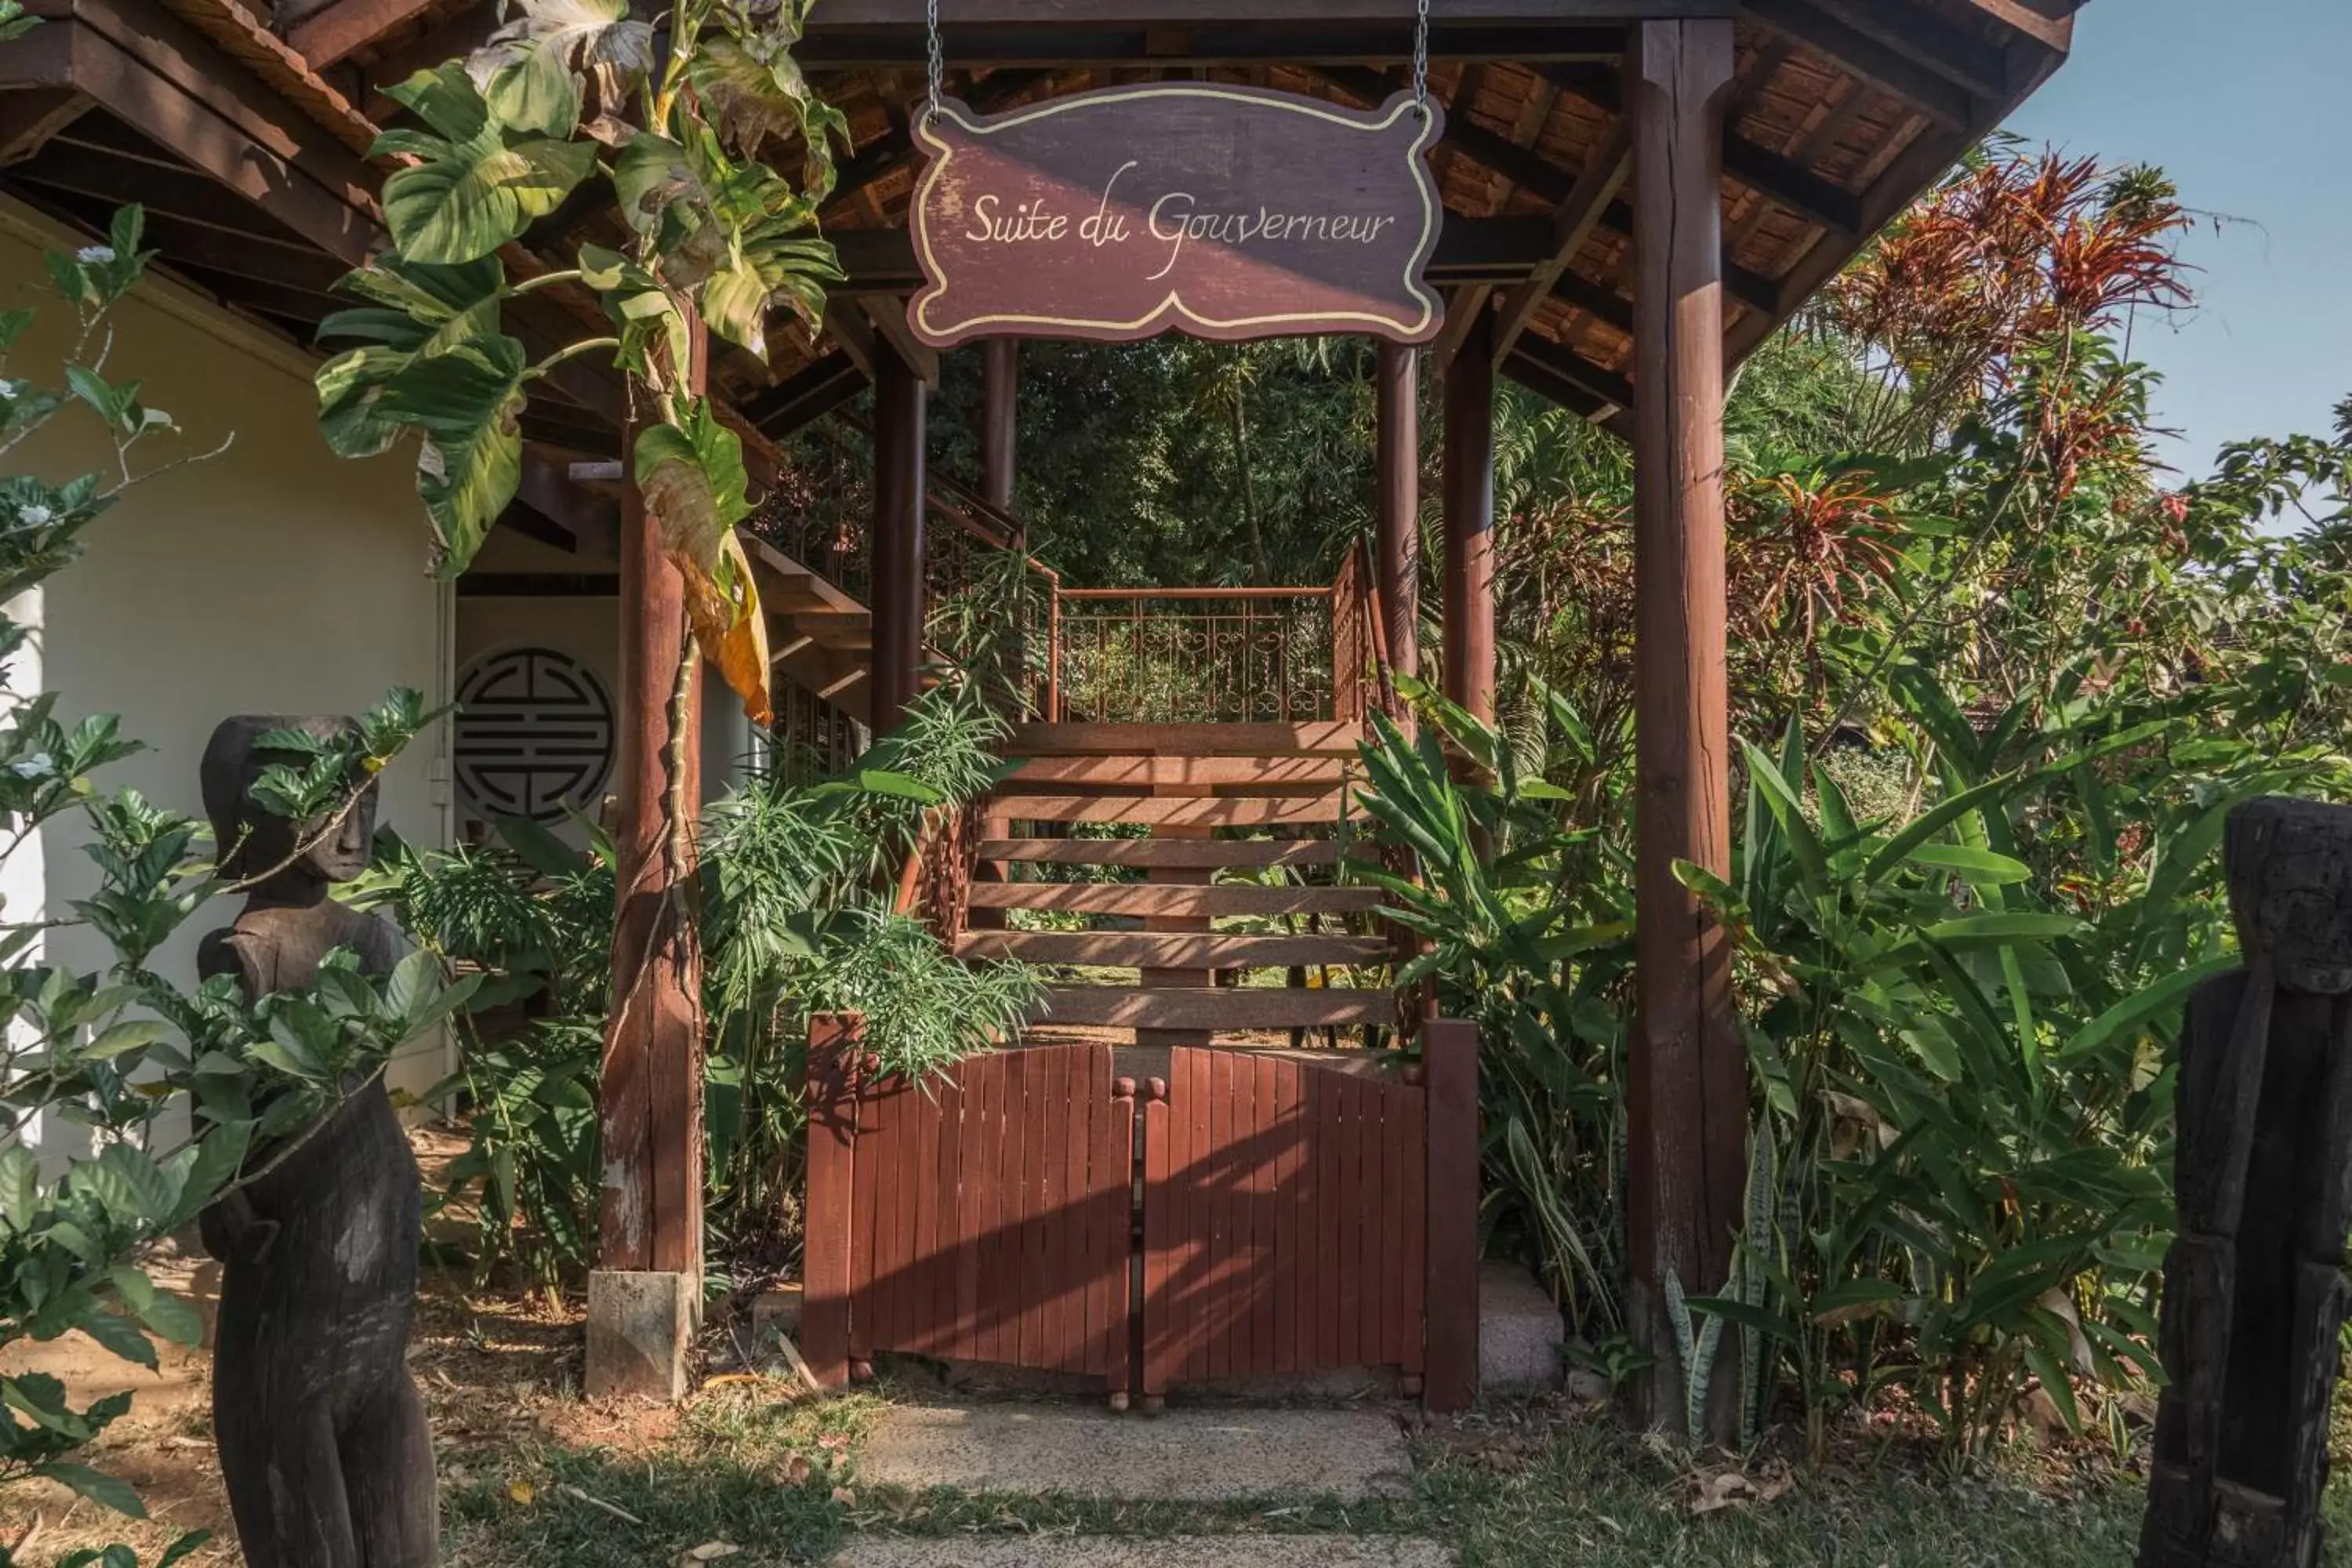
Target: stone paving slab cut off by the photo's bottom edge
(1137,1553)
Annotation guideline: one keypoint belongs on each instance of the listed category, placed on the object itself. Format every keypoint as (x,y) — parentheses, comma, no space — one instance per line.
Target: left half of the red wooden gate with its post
(989,1212)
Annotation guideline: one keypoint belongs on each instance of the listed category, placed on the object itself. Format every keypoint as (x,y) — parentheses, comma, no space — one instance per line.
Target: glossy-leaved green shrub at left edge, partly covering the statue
(180,1094)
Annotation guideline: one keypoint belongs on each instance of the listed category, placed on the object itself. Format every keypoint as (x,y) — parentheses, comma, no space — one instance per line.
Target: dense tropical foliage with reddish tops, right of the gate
(2000,690)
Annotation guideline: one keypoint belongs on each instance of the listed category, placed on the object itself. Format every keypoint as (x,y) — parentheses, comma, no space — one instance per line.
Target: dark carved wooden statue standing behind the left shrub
(323,1438)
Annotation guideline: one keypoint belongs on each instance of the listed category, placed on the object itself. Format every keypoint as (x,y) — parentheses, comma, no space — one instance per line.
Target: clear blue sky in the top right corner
(2245,105)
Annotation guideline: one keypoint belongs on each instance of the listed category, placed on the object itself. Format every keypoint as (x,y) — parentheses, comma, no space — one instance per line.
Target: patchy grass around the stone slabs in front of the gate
(1511,1489)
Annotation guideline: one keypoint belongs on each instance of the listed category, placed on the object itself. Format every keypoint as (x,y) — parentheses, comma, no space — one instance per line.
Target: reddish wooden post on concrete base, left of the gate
(646,1294)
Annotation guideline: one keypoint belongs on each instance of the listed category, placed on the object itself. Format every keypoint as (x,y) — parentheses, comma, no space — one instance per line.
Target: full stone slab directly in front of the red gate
(1182,1456)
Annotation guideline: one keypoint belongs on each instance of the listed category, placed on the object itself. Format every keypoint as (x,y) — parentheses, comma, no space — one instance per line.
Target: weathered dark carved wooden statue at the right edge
(2254,1289)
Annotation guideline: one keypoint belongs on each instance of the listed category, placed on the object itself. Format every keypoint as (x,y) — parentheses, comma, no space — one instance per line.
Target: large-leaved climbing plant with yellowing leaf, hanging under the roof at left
(563,93)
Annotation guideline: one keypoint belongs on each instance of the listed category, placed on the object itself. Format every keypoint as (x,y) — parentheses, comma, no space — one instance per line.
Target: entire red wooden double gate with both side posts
(1299,1214)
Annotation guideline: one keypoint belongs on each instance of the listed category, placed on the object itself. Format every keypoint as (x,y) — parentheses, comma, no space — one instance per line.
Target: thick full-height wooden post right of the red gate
(1688,1078)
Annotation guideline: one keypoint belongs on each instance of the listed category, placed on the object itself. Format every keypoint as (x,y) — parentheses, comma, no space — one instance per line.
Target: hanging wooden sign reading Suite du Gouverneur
(1229,213)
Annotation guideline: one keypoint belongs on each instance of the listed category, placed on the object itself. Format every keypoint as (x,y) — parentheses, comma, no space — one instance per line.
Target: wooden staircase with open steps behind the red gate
(1196,789)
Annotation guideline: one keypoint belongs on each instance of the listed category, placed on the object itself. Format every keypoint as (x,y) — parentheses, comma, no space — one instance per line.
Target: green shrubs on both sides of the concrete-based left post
(799,918)
